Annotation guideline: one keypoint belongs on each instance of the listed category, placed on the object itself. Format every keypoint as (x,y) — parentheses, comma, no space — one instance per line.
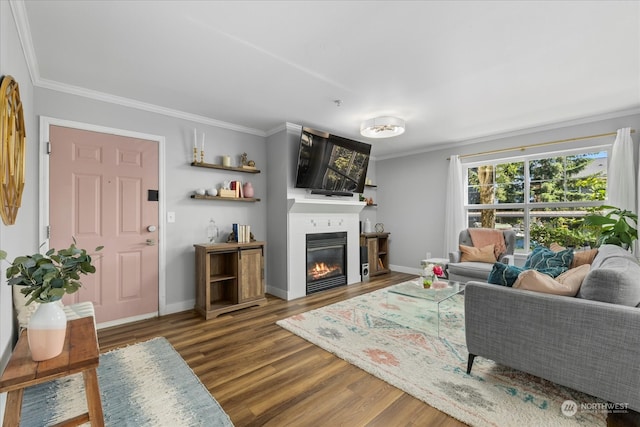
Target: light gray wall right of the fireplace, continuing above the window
(411,188)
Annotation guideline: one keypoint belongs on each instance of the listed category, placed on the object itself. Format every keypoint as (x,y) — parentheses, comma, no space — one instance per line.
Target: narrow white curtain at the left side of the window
(454,208)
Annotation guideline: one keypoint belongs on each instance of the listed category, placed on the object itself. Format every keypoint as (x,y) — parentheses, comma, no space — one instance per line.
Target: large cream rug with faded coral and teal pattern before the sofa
(395,338)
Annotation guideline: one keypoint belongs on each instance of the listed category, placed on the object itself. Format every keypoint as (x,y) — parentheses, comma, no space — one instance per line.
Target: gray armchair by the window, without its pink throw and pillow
(470,270)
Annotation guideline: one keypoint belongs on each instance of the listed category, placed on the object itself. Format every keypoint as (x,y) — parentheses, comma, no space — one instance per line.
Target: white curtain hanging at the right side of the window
(621,180)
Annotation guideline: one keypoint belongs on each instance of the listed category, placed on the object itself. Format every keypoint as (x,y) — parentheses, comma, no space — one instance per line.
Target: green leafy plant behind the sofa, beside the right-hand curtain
(614,226)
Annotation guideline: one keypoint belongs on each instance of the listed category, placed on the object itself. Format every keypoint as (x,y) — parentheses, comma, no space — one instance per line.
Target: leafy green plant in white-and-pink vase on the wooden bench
(45,279)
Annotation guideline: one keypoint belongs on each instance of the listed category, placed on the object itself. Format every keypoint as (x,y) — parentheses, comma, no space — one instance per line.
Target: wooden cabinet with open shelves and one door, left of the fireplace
(229,276)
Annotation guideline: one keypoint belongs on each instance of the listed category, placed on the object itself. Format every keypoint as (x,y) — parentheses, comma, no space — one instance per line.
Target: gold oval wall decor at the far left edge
(12,150)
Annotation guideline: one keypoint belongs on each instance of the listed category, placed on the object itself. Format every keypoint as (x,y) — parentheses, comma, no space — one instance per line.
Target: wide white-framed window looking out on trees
(542,197)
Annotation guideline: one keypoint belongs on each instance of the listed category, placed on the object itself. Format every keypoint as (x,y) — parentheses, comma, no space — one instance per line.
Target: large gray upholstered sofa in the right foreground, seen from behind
(590,342)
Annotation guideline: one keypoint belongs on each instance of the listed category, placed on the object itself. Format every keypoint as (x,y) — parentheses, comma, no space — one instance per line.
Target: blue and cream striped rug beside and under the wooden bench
(146,384)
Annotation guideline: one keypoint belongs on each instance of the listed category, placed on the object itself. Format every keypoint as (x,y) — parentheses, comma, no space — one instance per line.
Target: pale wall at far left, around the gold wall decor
(22,237)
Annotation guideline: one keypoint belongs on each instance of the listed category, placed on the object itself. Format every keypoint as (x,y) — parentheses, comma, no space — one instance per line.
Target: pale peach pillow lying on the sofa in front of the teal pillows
(567,284)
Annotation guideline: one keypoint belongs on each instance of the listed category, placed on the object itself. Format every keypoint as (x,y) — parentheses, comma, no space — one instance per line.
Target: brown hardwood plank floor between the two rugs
(263,375)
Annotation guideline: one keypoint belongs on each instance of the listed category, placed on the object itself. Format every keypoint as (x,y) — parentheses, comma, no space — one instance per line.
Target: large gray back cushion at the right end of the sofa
(614,277)
